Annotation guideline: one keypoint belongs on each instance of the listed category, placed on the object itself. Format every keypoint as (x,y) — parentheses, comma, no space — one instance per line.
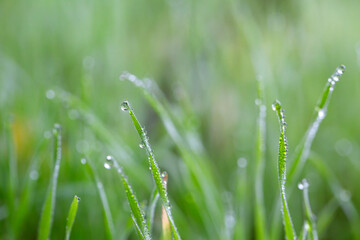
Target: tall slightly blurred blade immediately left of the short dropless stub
(49,205)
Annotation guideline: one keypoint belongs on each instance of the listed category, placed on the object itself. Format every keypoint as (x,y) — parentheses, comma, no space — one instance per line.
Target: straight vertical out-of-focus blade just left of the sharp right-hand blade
(260,218)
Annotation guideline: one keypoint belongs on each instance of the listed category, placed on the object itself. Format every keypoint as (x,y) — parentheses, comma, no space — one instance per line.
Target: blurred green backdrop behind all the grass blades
(205,56)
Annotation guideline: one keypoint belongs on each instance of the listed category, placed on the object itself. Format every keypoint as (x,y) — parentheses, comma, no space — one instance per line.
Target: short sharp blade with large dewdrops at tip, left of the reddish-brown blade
(137,213)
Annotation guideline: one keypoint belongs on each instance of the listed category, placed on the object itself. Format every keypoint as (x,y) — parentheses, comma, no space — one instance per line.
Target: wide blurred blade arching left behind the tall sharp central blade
(207,194)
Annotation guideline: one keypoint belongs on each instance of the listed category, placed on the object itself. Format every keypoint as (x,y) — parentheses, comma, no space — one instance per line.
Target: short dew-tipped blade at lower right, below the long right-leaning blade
(310,218)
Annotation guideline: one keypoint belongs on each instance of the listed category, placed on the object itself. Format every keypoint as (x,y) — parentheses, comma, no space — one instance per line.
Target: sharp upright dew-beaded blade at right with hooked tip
(289,229)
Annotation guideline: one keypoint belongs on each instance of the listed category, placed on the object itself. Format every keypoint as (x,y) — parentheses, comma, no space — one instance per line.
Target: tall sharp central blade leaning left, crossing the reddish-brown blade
(154,168)
